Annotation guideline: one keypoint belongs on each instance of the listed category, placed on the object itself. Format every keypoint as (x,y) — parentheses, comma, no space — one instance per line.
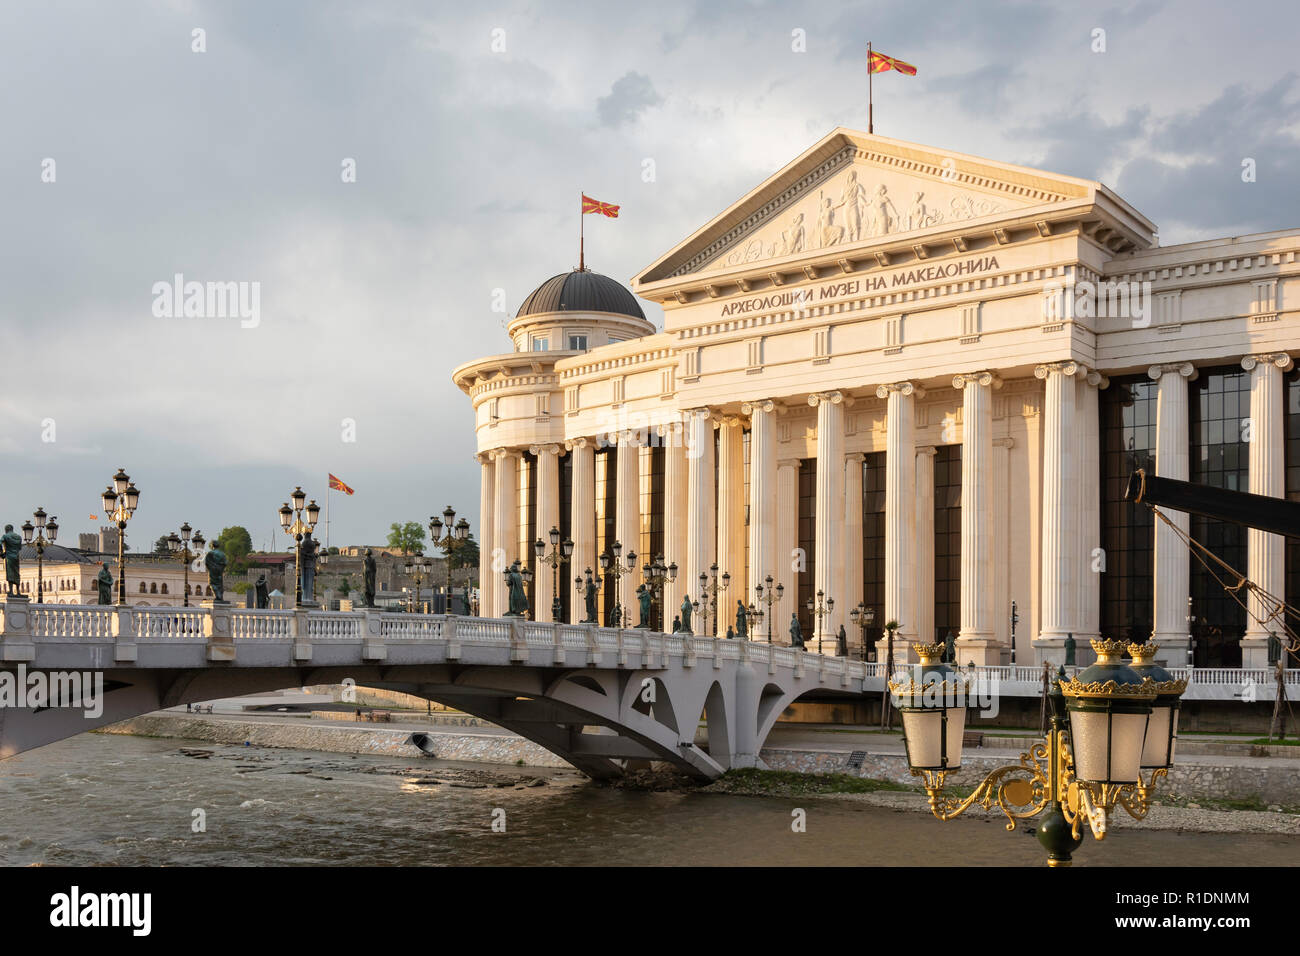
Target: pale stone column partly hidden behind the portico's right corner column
(1089,430)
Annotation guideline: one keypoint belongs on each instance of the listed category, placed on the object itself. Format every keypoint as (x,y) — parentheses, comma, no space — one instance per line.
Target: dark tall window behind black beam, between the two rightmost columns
(1220,405)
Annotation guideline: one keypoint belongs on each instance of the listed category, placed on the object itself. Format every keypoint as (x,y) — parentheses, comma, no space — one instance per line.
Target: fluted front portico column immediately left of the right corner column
(977,639)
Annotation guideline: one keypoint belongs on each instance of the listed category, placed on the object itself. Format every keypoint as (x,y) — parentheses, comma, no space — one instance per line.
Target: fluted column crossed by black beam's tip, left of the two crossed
(1173,561)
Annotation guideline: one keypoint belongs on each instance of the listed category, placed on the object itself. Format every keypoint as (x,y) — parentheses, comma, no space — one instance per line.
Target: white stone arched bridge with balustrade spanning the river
(596,697)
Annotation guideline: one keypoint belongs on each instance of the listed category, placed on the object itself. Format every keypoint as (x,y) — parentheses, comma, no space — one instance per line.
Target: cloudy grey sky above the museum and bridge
(474,128)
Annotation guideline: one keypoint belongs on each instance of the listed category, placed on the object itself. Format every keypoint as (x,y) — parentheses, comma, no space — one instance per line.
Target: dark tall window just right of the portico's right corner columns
(1128,530)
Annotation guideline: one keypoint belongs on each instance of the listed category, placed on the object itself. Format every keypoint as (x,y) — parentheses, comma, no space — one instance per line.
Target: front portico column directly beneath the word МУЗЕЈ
(830,512)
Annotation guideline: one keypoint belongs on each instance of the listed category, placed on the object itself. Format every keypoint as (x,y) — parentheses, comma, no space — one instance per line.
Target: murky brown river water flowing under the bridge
(116,801)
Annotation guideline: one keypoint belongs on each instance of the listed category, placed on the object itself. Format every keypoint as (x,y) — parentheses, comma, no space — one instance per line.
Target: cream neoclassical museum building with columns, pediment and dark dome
(916,382)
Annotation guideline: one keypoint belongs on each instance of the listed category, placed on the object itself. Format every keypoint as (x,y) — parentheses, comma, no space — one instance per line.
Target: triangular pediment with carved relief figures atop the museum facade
(853,191)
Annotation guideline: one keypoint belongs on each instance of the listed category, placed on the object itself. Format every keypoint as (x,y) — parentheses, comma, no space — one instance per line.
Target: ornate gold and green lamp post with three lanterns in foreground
(1110,726)
